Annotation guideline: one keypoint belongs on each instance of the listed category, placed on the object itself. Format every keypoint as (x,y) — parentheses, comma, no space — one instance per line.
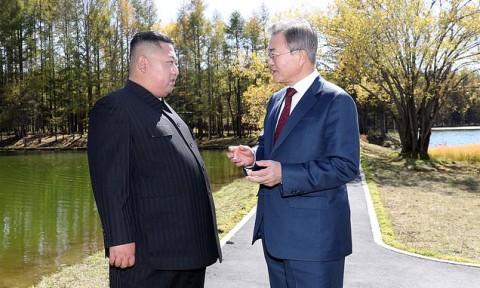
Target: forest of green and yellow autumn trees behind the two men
(409,64)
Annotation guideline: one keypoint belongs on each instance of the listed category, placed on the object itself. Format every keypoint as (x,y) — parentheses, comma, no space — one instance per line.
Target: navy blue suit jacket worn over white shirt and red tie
(307,216)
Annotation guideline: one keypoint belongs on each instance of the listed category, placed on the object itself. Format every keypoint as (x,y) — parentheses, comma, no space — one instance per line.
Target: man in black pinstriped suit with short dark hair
(149,179)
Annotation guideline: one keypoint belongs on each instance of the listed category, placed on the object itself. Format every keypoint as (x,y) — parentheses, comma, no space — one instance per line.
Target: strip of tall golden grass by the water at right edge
(469,153)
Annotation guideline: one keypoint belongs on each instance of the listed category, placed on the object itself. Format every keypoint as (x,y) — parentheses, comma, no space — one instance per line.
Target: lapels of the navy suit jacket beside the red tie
(304,105)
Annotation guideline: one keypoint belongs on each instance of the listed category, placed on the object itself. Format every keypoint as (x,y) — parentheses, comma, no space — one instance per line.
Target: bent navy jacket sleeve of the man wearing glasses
(341,158)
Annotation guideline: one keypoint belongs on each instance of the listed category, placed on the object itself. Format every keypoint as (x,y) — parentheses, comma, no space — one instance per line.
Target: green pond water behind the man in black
(48,214)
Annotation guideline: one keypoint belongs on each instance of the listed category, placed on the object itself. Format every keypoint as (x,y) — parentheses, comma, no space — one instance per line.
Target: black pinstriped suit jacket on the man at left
(150,182)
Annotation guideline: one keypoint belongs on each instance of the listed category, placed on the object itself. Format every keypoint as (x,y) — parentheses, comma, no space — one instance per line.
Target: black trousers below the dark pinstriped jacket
(142,277)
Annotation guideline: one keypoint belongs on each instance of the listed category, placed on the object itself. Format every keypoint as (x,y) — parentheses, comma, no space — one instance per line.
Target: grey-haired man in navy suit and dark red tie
(304,159)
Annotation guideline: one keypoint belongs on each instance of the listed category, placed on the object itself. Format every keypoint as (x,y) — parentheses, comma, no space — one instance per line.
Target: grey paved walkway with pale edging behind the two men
(372,264)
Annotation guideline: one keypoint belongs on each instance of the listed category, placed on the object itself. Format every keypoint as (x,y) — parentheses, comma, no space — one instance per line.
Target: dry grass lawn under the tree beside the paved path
(426,207)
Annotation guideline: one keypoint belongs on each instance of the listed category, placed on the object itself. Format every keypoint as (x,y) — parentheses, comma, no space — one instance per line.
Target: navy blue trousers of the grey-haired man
(284,273)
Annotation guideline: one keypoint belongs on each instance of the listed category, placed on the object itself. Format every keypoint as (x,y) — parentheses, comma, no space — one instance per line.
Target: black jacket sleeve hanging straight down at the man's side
(108,156)
